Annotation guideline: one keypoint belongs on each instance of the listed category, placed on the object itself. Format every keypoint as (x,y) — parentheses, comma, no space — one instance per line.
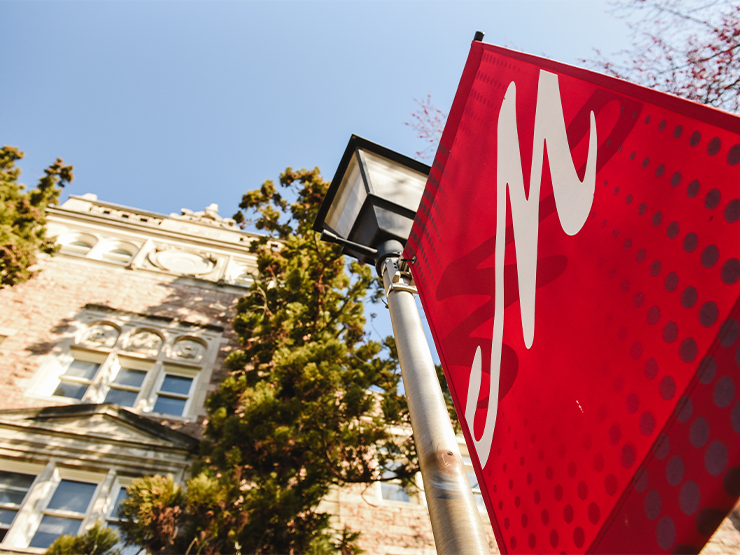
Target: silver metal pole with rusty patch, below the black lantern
(456,522)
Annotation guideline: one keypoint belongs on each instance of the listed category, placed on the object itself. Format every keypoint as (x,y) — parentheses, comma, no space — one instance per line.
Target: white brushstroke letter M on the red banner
(573,200)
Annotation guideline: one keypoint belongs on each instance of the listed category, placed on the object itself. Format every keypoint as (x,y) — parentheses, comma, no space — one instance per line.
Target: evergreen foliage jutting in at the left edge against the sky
(23,216)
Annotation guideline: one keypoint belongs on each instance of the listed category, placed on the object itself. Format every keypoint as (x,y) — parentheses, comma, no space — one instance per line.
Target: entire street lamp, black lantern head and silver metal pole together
(369,210)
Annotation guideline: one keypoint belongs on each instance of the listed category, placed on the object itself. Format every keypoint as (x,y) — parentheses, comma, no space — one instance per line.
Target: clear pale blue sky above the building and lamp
(169,105)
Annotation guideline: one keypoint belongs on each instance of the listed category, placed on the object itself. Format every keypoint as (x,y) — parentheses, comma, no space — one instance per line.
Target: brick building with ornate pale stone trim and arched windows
(106,358)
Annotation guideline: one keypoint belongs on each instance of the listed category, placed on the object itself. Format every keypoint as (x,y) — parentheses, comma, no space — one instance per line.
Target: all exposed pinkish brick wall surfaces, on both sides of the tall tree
(40,311)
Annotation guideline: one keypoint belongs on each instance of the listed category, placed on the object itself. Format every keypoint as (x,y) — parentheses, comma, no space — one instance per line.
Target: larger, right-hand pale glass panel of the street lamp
(394,182)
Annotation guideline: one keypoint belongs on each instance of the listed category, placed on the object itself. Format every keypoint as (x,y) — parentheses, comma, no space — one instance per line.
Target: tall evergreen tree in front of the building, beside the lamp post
(309,402)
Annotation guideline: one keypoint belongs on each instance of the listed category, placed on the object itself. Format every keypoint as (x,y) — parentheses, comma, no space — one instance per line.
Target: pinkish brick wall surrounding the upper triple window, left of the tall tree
(40,311)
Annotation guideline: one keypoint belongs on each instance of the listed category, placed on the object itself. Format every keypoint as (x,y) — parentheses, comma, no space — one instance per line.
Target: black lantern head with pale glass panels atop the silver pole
(372,200)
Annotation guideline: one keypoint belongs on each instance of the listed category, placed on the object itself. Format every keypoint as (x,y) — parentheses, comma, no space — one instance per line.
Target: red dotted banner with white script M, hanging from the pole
(577,256)
